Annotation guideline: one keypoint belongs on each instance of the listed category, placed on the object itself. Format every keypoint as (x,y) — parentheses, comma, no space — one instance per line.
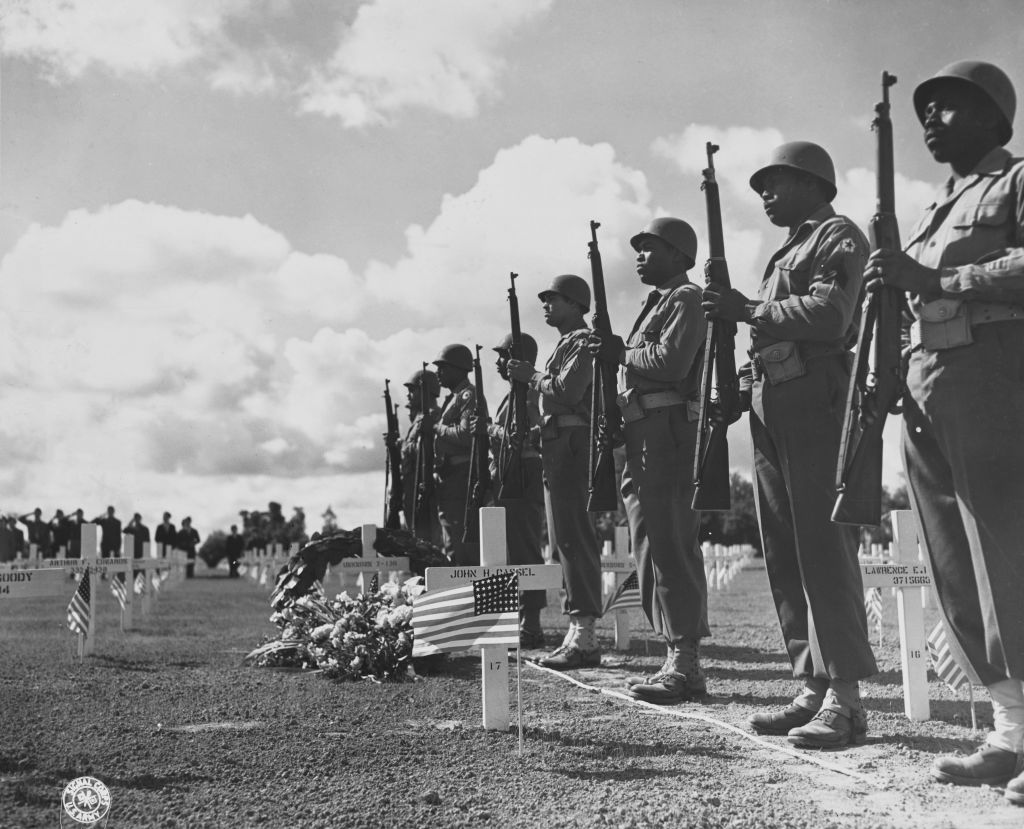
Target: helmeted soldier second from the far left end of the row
(454,440)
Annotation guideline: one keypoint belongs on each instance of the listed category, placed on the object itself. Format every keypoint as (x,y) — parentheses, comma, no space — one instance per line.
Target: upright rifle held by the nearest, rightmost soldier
(877,380)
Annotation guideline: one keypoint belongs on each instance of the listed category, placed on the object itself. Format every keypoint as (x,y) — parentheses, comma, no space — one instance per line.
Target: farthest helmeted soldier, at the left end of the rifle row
(417,479)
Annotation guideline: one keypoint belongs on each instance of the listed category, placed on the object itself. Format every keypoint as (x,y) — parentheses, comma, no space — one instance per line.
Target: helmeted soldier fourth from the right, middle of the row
(565,388)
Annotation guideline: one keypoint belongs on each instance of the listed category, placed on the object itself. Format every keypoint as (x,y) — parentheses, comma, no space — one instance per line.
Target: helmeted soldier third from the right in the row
(659,384)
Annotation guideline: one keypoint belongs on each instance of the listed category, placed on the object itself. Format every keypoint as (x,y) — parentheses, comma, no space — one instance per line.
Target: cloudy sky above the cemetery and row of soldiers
(224,224)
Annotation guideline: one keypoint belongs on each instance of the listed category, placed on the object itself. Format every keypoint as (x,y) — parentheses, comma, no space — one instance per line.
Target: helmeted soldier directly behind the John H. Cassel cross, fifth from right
(524,516)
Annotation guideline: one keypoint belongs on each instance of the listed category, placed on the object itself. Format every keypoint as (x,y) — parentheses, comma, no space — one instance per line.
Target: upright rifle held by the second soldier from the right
(711,461)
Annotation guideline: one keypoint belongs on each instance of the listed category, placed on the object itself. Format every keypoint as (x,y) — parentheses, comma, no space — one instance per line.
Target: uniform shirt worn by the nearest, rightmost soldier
(974,234)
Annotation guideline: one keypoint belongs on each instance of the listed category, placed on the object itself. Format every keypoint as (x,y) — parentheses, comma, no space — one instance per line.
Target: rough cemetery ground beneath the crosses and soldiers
(184,735)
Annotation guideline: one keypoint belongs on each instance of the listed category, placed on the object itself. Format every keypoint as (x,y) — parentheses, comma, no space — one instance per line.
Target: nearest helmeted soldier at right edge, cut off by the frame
(964,408)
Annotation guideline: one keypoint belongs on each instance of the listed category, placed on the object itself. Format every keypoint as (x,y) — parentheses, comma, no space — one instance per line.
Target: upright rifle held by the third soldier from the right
(606,419)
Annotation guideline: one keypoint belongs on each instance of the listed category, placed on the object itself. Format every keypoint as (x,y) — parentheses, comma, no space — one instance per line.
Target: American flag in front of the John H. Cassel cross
(484,613)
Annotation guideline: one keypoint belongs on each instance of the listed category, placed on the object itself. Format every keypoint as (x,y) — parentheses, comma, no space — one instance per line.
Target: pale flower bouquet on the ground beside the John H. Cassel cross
(369,636)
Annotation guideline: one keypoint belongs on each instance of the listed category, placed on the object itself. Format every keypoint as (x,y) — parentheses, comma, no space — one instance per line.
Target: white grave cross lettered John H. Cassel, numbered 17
(494,558)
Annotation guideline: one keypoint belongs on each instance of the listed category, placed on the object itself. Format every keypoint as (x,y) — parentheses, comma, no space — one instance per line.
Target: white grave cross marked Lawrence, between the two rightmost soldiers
(908,575)
